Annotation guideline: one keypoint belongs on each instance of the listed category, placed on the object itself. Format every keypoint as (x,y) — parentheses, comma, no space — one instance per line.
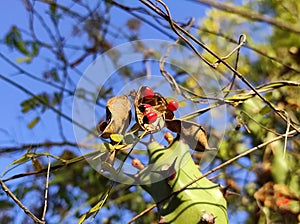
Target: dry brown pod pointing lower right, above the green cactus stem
(193,133)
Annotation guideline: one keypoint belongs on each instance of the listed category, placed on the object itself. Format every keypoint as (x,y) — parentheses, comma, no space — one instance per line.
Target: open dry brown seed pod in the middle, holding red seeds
(158,105)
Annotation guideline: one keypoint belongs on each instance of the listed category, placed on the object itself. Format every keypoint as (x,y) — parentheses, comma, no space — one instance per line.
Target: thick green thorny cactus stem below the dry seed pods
(201,198)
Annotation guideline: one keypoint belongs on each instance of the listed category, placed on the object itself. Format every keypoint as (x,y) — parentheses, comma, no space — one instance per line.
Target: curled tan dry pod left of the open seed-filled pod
(118,116)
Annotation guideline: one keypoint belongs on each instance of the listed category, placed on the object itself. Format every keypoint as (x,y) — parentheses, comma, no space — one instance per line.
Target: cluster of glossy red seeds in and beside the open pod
(151,116)
